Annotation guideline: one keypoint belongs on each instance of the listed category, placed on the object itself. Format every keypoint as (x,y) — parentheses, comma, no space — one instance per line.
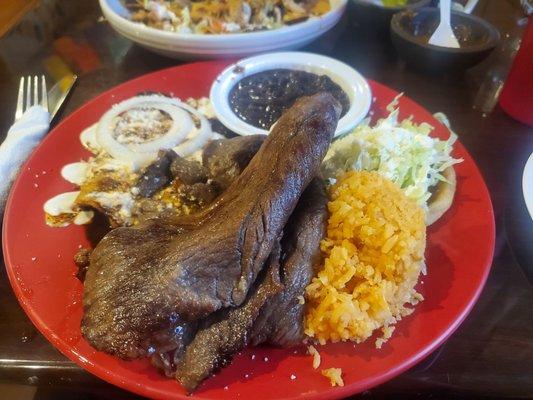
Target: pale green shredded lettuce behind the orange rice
(400,151)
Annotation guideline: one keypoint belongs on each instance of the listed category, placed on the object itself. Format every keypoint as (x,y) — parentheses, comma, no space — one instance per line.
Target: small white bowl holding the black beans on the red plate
(351,81)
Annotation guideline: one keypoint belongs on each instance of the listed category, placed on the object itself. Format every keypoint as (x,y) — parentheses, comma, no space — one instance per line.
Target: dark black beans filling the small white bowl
(261,98)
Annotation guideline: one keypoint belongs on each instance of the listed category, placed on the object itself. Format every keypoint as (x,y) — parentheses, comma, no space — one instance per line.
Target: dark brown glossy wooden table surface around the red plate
(491,354)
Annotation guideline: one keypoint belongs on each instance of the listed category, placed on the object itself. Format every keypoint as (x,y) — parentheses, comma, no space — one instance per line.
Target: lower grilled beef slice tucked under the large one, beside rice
(272,312)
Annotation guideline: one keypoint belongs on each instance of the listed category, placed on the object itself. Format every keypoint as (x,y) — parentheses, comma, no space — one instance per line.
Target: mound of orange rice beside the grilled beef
(374,253)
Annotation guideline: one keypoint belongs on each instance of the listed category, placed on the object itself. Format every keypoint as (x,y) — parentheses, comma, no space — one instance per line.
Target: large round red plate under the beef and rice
(40,267)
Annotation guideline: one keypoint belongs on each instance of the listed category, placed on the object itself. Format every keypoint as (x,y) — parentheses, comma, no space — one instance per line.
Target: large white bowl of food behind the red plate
(190,45)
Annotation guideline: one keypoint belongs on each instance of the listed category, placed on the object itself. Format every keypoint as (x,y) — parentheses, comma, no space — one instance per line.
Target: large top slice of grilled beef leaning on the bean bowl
(194,265)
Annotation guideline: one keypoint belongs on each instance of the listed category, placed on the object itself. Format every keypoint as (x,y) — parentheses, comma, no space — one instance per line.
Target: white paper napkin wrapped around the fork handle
(22,138)
